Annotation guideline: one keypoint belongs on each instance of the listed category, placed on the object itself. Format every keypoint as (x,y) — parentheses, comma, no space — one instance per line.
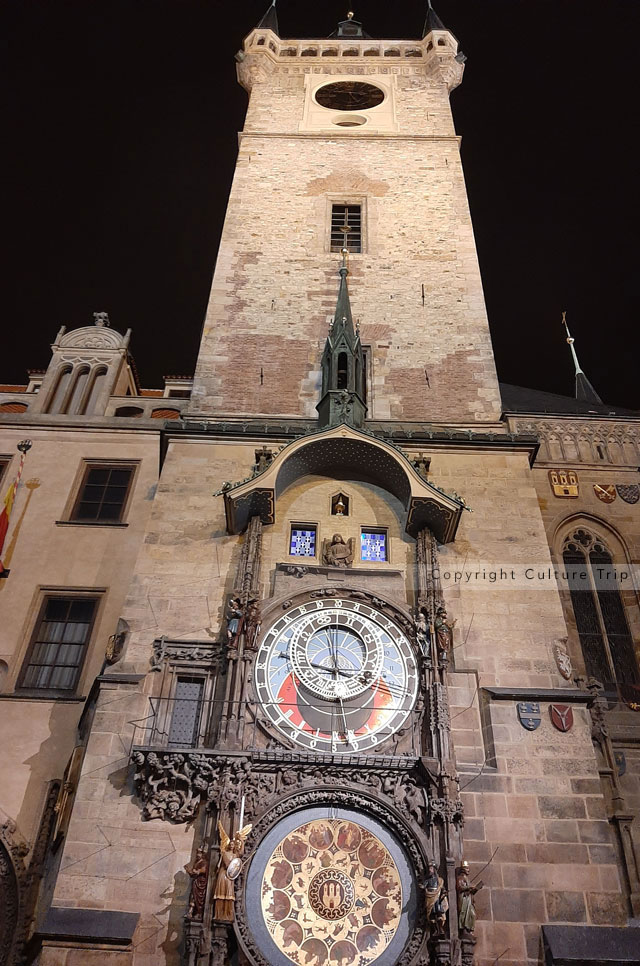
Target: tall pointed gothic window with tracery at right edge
(601,621)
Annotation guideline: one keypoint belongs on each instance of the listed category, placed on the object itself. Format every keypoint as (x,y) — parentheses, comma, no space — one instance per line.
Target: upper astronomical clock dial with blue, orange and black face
(336,675)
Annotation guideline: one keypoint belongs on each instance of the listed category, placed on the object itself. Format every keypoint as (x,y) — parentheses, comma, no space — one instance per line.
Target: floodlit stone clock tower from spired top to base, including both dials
(313,691)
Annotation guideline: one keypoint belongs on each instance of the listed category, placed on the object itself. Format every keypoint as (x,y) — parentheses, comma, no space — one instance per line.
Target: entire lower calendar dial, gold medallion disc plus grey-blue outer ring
(330,890)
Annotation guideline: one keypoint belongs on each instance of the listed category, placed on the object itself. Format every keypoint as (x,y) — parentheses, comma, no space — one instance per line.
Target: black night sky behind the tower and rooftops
(120,123)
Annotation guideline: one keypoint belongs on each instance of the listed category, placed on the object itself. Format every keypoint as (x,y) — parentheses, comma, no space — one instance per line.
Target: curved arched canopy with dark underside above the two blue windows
(343,453)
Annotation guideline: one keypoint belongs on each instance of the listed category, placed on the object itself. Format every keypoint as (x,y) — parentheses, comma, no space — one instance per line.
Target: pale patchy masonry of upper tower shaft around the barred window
(275,283)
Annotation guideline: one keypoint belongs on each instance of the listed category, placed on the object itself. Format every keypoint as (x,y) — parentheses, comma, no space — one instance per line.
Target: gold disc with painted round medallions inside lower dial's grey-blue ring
(331,894)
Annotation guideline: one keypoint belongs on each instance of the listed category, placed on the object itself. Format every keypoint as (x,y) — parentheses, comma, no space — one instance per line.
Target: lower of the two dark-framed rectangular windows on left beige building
(59,644)
